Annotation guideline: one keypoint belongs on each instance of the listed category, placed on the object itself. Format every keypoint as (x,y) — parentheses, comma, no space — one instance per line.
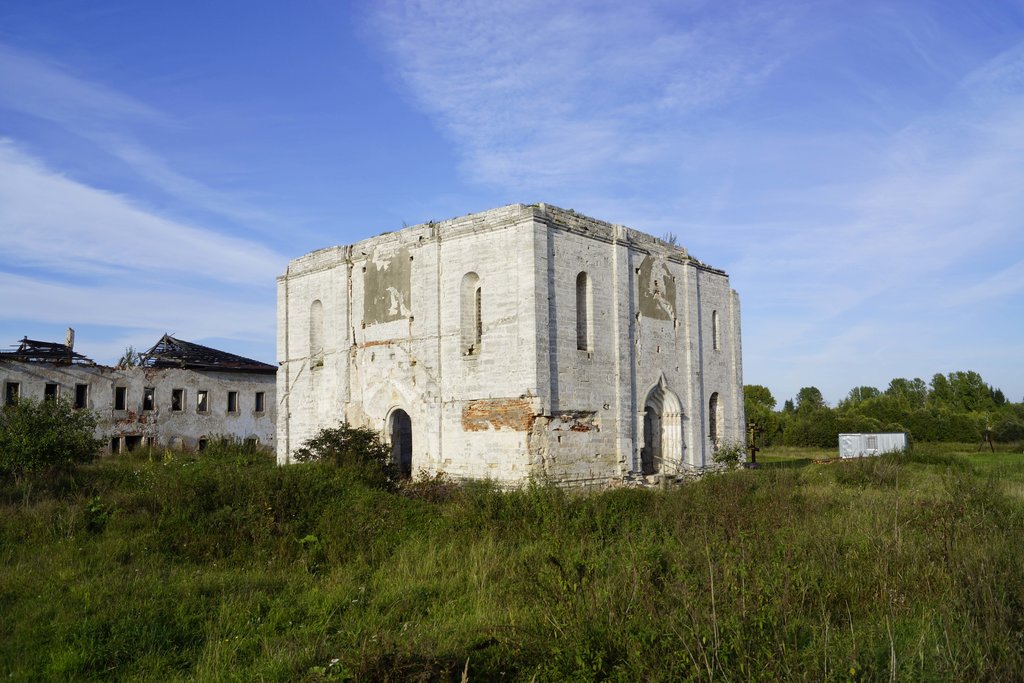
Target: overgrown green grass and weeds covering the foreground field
(230,568)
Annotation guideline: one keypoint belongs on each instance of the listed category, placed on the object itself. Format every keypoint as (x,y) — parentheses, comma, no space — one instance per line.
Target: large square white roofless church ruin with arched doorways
(518,343)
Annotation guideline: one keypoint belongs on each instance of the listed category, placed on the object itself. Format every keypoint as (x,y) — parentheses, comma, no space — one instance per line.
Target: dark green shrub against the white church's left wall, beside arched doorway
(356,449)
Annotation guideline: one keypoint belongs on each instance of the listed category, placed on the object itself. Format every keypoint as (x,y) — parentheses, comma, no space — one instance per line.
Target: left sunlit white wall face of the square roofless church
(379,362)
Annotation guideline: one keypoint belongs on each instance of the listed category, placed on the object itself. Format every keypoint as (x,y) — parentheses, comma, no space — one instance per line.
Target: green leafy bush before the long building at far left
(42,436)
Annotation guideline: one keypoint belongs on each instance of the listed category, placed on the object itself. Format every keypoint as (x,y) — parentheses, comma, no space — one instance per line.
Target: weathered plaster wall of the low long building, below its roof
(161,424)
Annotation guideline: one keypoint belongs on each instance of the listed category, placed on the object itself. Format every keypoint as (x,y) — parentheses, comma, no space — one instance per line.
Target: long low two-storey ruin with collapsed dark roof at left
(182,395)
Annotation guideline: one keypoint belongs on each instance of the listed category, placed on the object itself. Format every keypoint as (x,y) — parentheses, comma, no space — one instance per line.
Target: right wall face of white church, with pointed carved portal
(651,314)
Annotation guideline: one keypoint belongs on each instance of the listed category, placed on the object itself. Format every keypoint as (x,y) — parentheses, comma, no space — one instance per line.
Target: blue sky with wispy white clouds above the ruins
(857,168)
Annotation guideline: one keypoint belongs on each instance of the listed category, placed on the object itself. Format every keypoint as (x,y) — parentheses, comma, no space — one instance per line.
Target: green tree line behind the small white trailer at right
(958,407)
